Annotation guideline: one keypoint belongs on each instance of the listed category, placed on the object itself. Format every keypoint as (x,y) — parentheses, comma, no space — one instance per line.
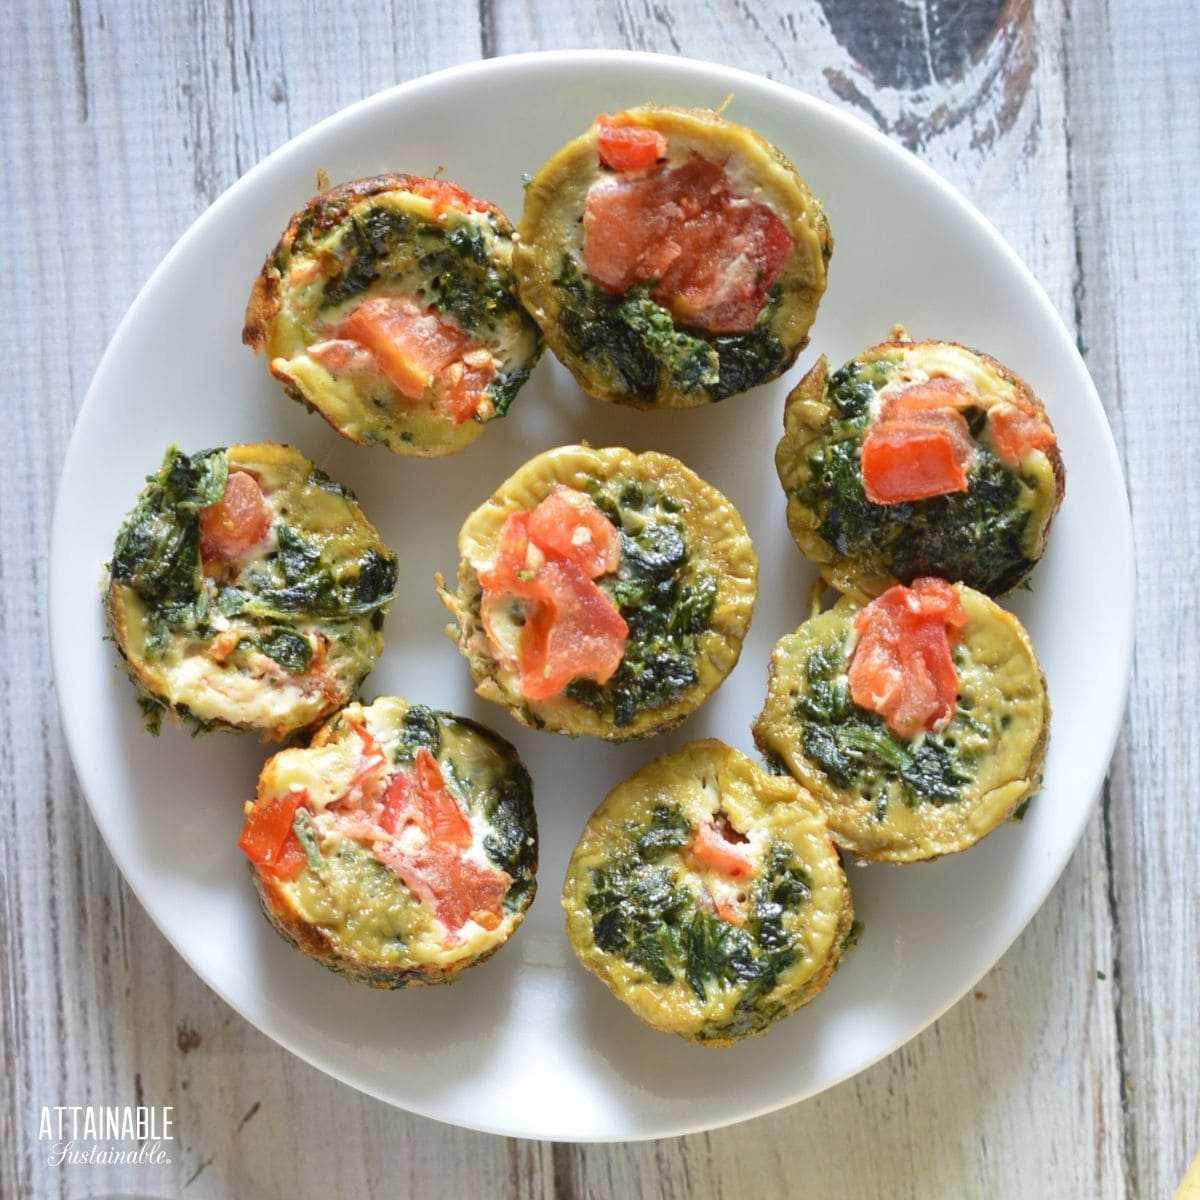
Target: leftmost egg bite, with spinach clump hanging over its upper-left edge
(248,590)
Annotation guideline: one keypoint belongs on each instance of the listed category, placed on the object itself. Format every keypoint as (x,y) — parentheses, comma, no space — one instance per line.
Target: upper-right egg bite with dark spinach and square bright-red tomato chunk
(920,459)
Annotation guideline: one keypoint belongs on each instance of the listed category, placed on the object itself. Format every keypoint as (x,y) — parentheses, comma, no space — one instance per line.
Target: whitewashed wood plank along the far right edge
(1137,136)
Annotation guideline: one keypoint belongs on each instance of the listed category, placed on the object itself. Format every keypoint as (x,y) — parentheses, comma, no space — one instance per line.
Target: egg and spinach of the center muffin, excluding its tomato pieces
(683,584)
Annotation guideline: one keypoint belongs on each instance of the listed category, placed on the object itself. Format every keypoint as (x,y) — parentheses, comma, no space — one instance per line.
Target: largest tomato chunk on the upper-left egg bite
(410,346)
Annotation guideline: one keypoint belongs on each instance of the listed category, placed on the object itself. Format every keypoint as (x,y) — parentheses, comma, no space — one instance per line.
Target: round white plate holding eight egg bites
(531,1045)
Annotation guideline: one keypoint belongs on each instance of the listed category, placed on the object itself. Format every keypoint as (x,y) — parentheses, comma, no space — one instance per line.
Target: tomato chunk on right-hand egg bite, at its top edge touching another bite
(902,667)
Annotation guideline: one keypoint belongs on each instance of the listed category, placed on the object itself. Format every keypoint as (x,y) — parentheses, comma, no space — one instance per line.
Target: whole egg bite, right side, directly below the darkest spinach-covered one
(920,722)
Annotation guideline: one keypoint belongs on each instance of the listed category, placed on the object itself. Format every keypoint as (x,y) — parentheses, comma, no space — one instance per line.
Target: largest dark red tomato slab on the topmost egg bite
(716,255)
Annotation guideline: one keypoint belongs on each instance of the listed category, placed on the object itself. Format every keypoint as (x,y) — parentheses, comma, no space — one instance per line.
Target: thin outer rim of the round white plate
(843,119)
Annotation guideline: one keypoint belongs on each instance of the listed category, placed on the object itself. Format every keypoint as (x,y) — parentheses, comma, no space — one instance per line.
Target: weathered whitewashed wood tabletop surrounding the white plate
(1075,1071)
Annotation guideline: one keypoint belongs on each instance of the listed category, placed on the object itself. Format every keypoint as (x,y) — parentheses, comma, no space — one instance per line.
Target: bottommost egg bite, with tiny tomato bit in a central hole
(709,896)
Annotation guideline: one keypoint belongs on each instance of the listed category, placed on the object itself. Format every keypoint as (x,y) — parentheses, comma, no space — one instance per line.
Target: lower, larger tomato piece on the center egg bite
(575,632)
